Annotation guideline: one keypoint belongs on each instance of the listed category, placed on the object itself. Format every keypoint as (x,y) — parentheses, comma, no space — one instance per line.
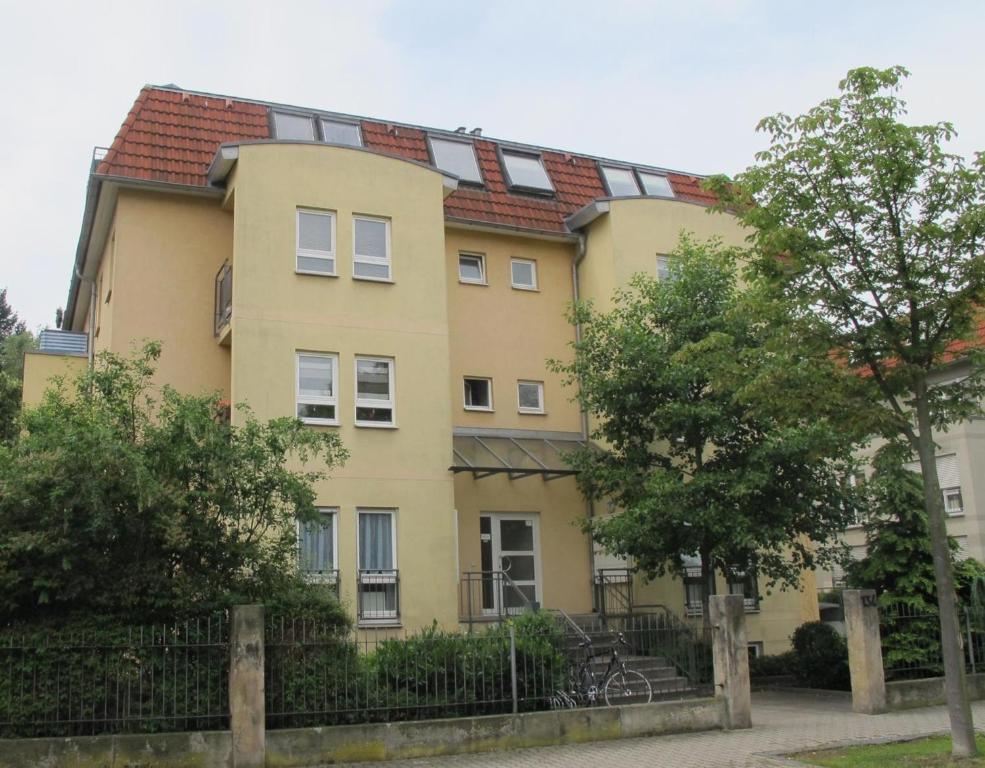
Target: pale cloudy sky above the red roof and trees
(678,84)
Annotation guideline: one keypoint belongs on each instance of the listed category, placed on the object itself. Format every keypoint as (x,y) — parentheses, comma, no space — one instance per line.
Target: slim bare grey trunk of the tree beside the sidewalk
(958,708)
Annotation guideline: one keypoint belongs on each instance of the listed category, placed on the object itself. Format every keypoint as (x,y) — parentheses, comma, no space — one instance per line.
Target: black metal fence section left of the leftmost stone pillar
(163,677)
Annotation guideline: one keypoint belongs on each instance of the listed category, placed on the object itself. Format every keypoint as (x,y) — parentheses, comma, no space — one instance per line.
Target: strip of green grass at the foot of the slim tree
(933,752)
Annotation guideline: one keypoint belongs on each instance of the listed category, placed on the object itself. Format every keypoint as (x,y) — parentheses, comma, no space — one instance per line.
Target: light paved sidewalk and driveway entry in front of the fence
(782,722)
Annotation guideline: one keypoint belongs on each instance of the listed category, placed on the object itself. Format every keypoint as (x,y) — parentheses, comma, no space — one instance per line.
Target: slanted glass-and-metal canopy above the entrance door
(516,456)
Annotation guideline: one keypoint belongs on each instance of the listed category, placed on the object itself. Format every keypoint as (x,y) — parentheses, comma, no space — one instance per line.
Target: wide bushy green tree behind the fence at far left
(114,500)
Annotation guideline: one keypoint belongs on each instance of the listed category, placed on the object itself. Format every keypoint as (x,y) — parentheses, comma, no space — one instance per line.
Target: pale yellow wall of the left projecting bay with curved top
(277,312)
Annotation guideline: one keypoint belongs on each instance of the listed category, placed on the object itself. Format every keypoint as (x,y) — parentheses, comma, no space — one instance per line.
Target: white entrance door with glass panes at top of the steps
(514,544)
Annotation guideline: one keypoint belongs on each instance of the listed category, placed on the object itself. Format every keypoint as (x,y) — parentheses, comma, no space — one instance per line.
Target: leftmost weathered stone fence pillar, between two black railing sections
(247,720)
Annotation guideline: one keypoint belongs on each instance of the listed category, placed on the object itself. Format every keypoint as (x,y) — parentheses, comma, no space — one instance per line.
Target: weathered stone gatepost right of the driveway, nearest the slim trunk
(864,651)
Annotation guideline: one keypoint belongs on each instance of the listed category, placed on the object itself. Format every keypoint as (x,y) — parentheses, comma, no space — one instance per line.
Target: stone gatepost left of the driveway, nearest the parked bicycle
(730,654)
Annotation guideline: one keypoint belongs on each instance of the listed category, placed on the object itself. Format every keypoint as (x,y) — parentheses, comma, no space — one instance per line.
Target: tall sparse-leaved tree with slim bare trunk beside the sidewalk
(875,232)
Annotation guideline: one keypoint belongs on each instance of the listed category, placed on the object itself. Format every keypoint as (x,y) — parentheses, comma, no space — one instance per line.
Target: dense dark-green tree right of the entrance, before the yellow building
(683,449)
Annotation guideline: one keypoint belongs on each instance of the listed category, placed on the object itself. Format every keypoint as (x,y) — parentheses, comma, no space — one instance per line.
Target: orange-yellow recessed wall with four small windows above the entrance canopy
(507,334)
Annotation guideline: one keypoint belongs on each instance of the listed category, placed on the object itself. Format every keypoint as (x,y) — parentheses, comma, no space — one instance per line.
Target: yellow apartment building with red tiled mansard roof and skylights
(403,286)
